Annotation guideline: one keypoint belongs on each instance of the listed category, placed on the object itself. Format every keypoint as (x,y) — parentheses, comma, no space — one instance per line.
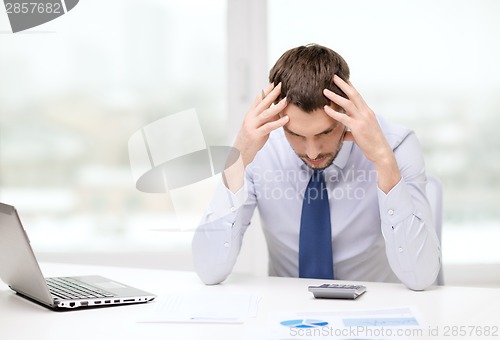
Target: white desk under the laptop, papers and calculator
(440,307)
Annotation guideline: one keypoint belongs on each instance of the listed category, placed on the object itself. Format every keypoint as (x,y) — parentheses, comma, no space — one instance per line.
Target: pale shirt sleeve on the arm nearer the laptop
(218,238)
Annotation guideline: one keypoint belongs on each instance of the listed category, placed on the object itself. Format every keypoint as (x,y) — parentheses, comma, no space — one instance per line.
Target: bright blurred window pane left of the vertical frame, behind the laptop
(73,91)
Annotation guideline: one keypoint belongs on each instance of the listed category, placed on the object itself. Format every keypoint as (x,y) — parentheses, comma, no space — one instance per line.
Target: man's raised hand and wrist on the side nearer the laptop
(260,120)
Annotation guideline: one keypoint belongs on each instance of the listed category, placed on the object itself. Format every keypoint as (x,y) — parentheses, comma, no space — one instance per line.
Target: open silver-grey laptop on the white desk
(19,269)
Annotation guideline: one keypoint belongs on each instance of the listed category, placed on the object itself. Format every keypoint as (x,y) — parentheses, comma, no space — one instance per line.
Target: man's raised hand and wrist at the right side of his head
(365,132)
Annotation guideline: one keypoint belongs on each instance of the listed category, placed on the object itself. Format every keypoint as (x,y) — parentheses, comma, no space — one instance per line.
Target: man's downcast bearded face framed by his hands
(314,136)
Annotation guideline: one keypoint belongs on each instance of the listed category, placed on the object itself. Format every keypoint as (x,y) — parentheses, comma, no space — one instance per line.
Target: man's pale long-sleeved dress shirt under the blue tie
(375,236)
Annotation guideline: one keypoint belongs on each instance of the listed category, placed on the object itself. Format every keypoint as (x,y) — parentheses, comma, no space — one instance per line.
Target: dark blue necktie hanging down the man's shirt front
(315,243)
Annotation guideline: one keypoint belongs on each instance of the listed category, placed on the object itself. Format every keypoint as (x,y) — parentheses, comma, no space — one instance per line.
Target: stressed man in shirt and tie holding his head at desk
(310,137)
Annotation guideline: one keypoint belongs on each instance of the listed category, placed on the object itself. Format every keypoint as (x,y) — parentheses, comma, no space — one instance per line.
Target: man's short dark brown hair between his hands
(304,72)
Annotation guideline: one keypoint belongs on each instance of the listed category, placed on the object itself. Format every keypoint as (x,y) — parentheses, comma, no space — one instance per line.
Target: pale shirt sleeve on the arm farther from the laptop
(412,246)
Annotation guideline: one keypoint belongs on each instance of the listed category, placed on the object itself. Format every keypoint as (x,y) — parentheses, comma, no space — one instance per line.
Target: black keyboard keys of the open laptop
(67,288)
